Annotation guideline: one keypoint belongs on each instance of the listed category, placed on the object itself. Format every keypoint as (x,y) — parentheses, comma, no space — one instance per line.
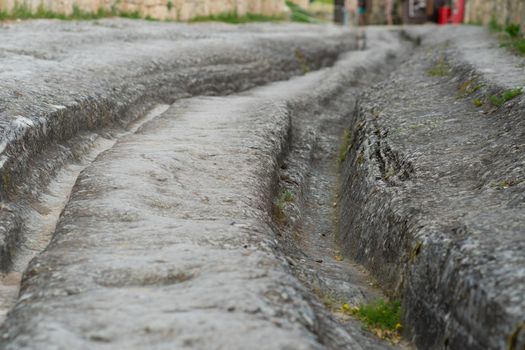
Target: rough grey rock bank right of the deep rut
(433,192)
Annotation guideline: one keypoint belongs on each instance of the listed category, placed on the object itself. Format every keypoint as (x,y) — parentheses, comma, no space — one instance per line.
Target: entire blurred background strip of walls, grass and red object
(497,13)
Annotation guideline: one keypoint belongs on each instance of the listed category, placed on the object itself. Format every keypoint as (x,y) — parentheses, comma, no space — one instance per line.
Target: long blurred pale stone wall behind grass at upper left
(181,10)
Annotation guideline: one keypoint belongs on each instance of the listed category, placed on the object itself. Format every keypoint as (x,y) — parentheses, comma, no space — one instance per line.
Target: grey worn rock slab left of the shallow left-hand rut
(63,83)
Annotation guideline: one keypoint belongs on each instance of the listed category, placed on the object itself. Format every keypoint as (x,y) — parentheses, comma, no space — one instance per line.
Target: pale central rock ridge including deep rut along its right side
(168,238)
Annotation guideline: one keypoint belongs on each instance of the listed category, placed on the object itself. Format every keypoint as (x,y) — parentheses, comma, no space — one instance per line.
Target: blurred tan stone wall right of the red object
(503,11)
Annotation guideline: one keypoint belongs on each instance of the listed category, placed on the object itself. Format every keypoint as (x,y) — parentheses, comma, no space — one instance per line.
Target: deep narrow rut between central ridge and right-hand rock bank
(305,208)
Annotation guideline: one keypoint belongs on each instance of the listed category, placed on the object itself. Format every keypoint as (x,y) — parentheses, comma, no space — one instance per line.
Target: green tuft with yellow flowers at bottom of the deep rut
(381,317)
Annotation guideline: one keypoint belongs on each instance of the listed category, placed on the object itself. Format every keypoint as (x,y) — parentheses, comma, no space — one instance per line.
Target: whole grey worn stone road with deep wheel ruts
(143,163)
